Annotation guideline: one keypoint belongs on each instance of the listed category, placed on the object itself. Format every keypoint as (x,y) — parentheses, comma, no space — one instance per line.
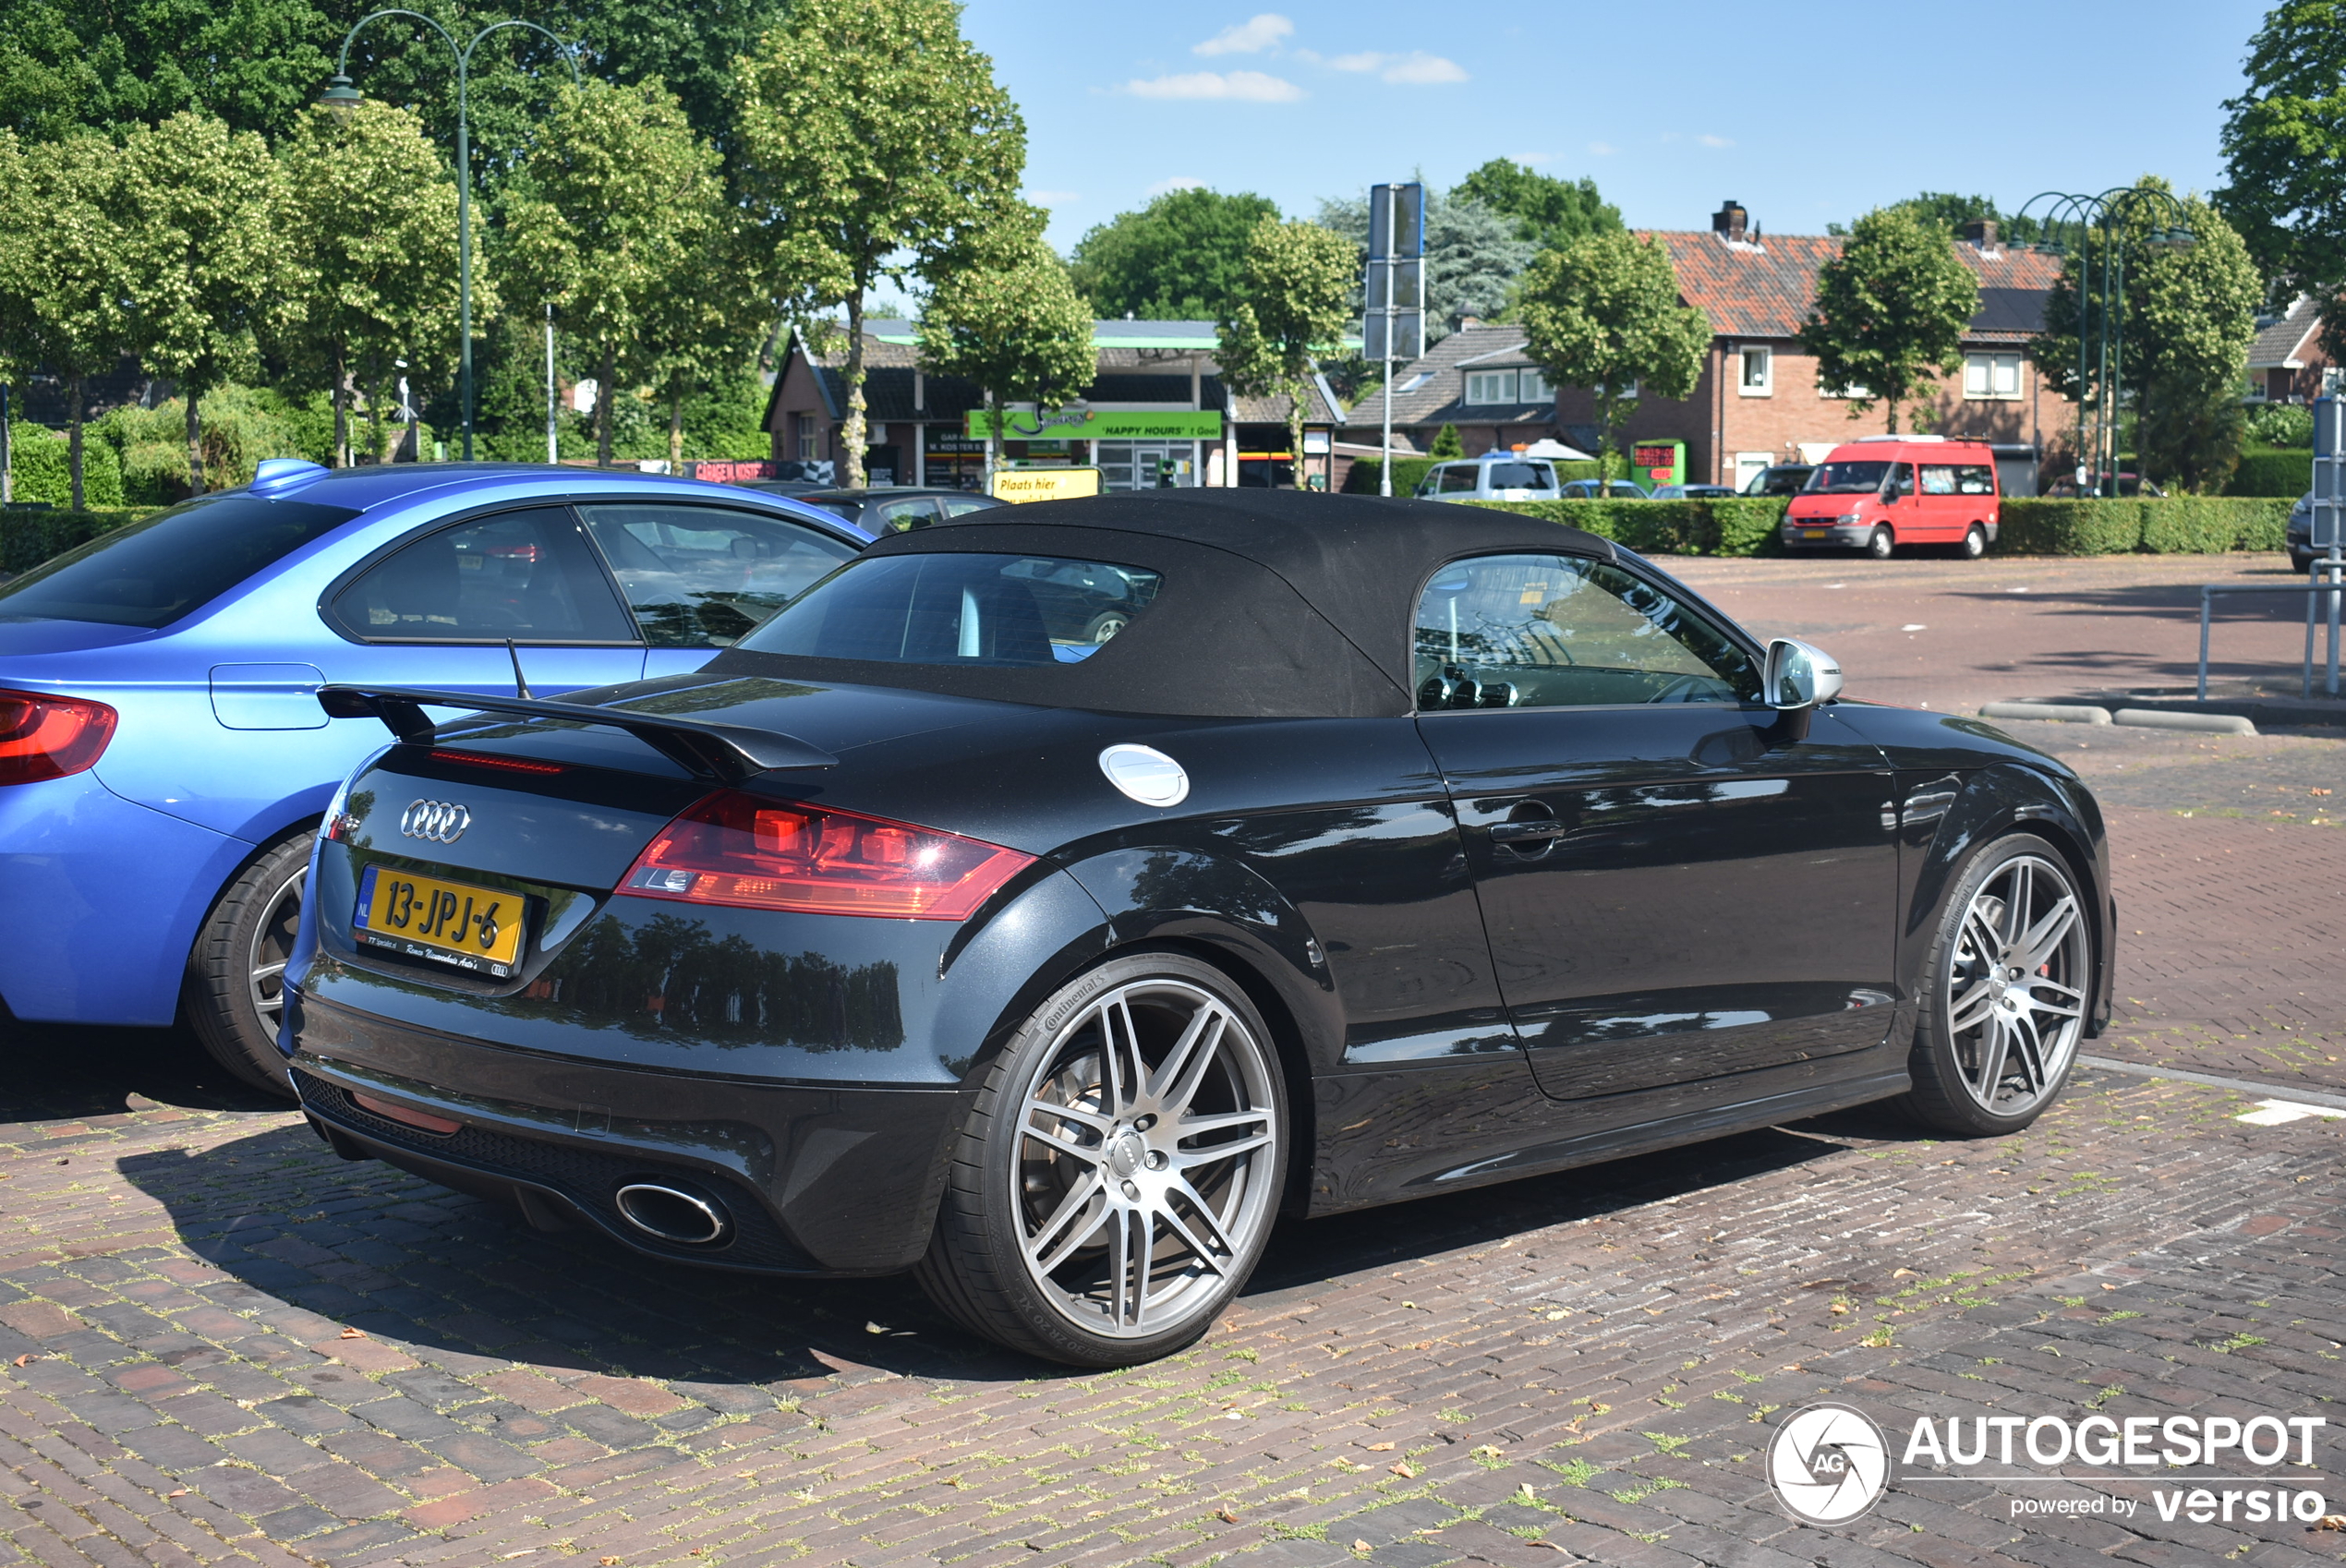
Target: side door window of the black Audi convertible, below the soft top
(1557,632)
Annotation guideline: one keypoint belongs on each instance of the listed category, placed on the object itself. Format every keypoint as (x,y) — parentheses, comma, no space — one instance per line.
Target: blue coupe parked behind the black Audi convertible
(163,756)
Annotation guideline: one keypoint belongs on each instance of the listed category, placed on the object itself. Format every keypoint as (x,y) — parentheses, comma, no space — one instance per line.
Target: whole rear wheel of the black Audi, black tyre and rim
(1099,1185)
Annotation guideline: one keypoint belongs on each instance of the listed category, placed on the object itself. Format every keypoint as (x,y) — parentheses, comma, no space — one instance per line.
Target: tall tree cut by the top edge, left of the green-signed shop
(874,139)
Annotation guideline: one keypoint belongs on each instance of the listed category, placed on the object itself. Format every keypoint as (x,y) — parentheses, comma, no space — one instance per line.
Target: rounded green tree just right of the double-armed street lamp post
(609,221)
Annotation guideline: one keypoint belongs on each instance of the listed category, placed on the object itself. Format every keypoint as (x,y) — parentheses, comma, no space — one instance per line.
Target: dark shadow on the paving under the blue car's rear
(72,1072)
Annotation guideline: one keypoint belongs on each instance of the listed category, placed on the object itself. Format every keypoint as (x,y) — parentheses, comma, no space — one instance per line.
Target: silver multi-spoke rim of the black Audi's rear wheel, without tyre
(1144,1159)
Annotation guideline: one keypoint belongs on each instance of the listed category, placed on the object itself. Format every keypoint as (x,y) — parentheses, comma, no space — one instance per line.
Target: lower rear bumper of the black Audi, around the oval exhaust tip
(818,1178)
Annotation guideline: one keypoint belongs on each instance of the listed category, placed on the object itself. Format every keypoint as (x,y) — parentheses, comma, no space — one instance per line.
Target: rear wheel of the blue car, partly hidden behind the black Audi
(229,990)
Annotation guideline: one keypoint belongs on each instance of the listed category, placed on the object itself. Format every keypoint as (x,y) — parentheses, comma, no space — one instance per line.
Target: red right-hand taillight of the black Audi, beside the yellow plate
(761,854)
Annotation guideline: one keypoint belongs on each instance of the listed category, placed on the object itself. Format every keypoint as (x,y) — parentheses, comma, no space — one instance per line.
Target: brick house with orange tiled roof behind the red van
(1758,402)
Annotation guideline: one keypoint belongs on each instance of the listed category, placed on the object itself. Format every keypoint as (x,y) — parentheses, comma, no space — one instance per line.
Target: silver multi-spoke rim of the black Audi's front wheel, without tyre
(2016,986)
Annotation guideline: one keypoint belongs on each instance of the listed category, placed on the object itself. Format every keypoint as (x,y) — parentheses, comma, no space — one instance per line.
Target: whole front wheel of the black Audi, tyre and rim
(1981,990)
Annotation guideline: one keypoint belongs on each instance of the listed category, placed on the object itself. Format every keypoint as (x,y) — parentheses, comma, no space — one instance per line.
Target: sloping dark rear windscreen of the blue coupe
(170,566)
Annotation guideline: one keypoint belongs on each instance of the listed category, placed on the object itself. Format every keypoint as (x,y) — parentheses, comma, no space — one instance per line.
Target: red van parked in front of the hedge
(1887,491)
